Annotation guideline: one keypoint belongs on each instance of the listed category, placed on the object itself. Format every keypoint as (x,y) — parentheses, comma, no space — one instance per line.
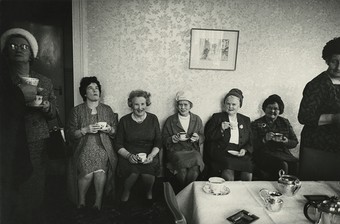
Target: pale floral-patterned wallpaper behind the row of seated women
(145,44)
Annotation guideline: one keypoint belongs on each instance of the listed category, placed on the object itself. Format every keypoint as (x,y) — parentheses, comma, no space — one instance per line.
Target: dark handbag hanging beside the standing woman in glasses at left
(57,146)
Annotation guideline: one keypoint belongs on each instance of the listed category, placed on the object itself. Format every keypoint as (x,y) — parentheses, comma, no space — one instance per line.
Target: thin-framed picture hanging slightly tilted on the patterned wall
(213,49)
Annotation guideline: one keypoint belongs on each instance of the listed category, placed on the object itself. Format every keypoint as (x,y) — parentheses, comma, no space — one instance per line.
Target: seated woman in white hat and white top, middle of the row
(184,157)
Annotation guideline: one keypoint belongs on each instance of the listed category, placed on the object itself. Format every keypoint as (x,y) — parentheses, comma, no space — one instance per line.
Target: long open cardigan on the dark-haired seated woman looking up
(80,116)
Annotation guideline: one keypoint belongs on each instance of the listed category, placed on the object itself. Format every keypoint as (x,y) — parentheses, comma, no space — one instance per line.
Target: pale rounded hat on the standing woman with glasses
(18,31)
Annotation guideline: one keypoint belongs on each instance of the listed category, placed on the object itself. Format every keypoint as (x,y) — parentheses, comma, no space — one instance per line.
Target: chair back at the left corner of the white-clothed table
(170,199)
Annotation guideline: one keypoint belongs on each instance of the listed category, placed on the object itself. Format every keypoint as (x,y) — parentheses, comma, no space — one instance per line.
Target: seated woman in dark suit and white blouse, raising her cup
(229,139)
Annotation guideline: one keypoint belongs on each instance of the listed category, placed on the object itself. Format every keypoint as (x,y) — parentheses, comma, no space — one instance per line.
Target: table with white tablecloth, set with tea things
(199,207)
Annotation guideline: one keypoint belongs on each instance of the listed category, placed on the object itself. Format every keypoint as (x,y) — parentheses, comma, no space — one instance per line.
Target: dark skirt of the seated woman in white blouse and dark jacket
(225,160)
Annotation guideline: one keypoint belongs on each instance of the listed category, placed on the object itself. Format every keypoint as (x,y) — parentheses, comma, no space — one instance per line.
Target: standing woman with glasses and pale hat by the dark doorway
(20,49)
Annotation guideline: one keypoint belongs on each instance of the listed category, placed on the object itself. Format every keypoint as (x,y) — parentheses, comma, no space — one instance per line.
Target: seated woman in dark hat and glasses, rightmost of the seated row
(271,153)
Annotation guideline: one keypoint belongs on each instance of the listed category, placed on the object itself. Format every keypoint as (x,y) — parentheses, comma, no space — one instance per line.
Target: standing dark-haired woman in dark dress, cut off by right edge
(320,114)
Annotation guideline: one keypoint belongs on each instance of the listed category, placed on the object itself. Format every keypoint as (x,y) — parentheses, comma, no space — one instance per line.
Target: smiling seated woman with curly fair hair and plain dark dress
(138,132)
